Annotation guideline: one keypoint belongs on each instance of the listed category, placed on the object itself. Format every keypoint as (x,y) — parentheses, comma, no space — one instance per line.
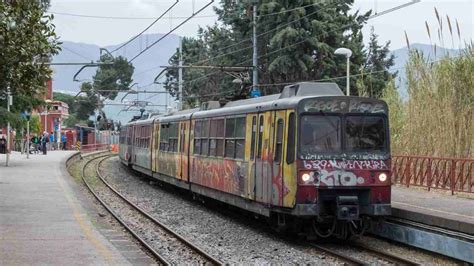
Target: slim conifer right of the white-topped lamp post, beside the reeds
(375,73)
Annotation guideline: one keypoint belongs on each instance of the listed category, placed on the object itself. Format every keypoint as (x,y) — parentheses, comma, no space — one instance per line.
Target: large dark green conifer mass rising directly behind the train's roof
(294,44)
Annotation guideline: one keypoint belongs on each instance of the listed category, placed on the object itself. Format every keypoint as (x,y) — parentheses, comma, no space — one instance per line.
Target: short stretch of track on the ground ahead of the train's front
(367,251)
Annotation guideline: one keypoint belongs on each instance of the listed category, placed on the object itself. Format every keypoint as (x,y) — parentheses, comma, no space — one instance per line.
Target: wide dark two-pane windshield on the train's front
(334,134)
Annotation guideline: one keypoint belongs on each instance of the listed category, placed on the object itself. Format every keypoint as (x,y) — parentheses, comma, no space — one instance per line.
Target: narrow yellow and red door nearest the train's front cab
(276,157)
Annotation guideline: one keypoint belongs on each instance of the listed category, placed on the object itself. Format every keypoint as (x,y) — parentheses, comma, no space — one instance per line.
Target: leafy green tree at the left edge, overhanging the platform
(27,41)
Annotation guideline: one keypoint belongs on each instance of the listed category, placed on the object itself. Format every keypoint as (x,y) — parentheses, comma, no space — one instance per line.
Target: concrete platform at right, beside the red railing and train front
(437,208)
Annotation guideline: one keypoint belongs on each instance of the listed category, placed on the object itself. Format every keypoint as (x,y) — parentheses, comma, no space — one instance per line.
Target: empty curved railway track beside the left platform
(167,241)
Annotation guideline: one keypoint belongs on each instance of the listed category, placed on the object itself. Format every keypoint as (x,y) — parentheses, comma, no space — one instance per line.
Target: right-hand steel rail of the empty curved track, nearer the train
(186,242)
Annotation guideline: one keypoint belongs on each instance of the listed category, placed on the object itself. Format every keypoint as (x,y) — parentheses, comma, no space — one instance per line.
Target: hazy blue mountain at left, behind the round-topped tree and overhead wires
(147,66)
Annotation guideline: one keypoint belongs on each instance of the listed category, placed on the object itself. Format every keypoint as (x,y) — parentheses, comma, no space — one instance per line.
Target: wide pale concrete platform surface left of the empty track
(41,219)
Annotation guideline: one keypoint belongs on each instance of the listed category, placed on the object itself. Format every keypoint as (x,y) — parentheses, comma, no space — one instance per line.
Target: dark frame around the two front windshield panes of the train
(343,150)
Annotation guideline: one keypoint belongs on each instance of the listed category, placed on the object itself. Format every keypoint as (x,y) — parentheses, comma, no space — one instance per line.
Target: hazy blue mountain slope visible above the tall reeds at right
(401,58)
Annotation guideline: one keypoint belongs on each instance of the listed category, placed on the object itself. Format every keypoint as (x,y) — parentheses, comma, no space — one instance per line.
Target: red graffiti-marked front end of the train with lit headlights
(343,163)
